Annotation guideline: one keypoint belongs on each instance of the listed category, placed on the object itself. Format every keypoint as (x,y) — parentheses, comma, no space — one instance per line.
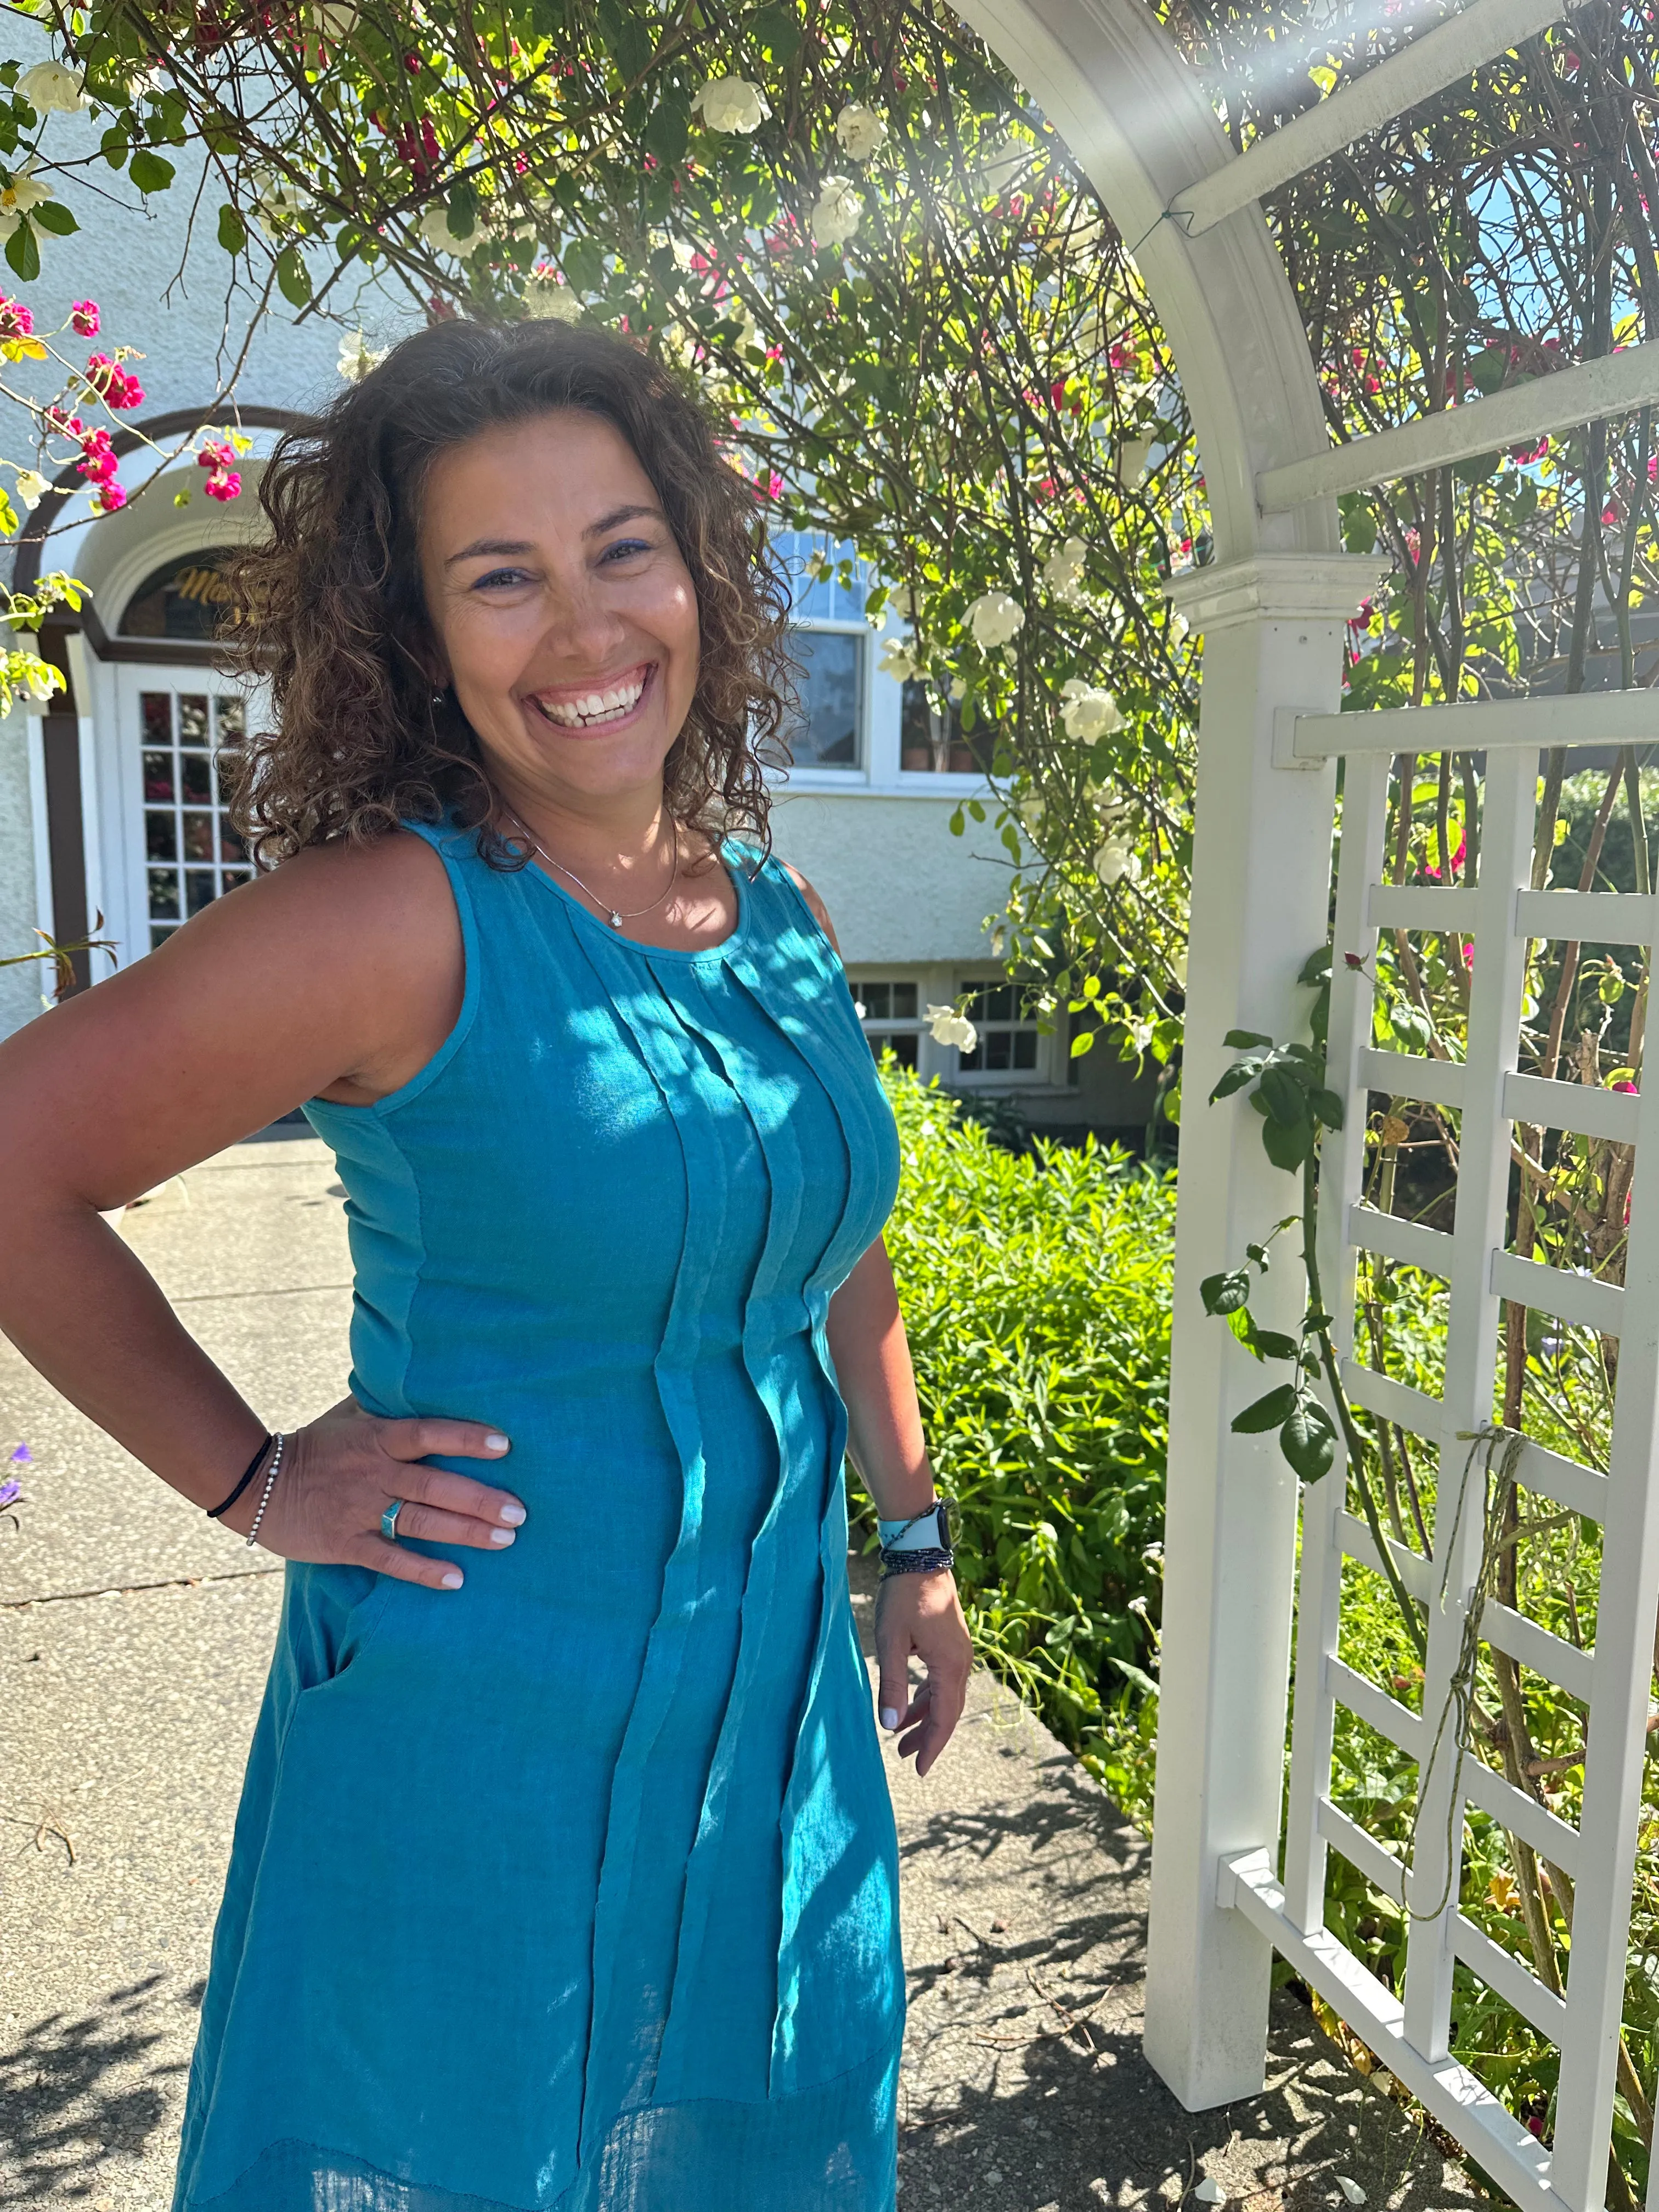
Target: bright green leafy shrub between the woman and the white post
(1036,1295)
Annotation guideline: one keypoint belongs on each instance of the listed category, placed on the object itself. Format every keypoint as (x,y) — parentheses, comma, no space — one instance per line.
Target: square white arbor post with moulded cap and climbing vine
(1260,908)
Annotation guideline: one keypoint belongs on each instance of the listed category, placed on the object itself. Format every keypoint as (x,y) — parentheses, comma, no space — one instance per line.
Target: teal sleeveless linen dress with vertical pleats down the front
(576,1888)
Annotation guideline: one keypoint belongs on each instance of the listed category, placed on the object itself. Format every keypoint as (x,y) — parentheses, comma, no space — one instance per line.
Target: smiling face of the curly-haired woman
(561,607)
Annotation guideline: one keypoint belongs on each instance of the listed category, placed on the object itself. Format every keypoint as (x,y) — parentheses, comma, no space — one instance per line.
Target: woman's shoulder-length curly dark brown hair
(333,616)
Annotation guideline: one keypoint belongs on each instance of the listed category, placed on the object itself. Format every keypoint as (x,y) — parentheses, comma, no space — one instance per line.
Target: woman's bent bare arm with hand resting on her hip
(313,979)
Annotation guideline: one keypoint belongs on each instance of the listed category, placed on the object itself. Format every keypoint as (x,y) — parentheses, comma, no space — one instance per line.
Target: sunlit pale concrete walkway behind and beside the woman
(134,1642)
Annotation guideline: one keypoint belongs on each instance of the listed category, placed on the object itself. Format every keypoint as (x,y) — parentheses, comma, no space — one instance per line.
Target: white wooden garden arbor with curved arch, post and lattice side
(1229,1890)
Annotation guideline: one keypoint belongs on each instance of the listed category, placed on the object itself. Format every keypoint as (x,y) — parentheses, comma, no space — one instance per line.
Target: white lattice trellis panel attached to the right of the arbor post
(1499,915)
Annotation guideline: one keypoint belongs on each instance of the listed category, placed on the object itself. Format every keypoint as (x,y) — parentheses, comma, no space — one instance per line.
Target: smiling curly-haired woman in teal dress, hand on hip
(565,1881)
